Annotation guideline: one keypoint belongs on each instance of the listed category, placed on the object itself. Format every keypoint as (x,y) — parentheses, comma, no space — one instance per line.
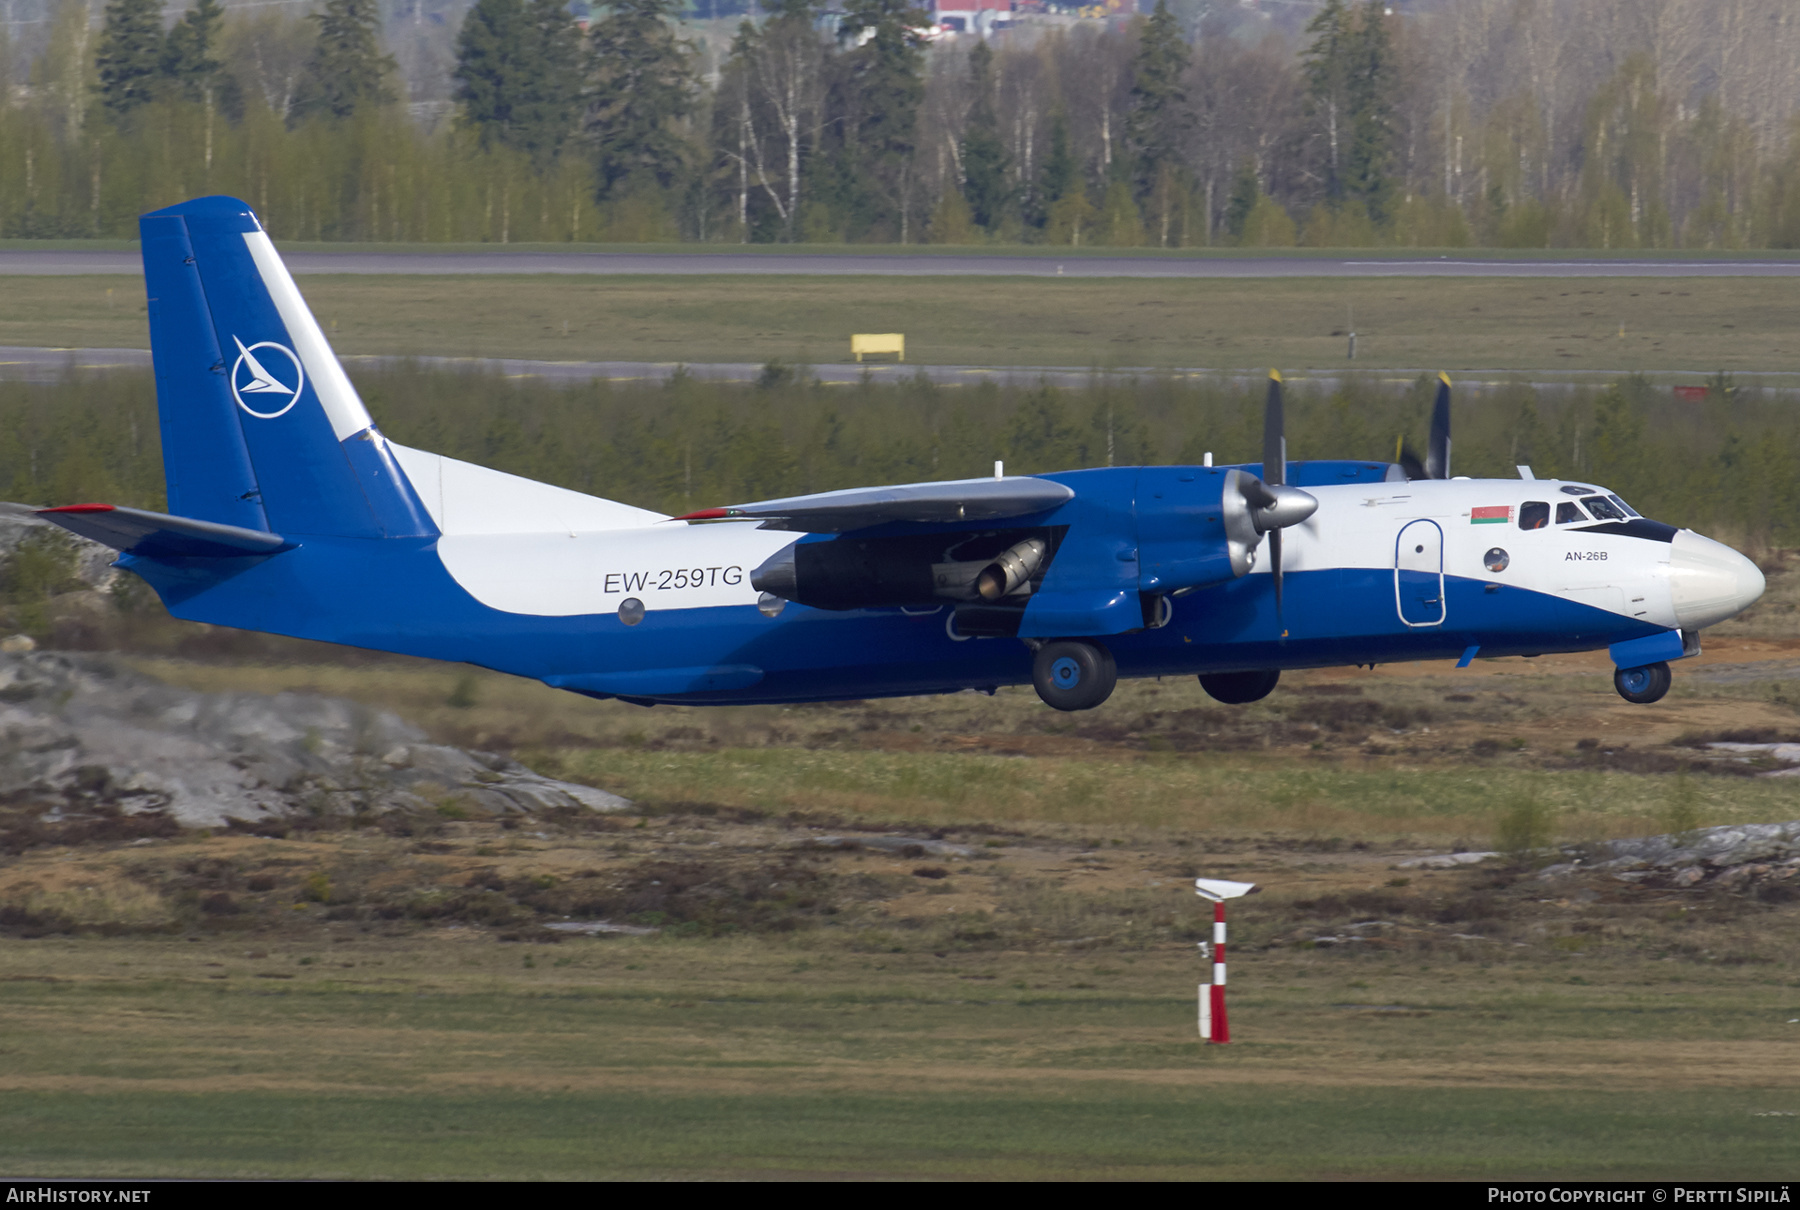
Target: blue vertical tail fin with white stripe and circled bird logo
(260,426)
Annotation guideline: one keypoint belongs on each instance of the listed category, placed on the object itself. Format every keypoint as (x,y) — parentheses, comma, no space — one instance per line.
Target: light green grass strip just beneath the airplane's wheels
(1187,791)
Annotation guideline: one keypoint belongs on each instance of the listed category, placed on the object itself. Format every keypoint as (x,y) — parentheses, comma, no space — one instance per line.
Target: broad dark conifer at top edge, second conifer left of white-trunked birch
(519,75)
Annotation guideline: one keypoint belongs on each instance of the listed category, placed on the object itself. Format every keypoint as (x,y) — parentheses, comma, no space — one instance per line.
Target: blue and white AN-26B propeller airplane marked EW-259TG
(292,514)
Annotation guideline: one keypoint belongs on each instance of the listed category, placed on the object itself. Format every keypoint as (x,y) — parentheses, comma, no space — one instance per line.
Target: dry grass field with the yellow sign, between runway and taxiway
(1515,325)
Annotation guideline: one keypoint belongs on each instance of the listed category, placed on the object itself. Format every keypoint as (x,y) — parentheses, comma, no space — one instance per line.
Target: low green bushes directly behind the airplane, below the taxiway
(1729,465)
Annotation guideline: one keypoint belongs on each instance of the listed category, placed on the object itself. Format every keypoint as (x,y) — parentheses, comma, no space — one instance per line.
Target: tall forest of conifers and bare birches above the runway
(1502,123)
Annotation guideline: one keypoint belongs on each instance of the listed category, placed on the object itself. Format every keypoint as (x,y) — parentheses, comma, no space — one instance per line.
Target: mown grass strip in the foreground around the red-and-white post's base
(739,1060)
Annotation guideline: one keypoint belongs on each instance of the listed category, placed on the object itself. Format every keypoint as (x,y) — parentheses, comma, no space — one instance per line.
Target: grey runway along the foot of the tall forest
(69,264)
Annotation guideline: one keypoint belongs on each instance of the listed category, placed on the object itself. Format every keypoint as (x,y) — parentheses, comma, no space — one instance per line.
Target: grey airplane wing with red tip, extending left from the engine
(859,509)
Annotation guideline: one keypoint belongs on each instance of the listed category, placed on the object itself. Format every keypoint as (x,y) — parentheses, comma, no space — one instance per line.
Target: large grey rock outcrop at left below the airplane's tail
(89,743)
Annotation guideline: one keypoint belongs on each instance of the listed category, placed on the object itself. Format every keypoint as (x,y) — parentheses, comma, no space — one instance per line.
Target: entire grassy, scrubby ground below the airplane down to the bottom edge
(384,1002)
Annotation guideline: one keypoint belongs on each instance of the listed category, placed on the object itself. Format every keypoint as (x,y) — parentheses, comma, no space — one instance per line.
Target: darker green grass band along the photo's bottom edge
(1048,1133)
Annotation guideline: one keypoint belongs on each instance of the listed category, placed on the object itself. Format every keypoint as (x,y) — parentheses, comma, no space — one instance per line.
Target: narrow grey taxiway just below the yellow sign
(42,365)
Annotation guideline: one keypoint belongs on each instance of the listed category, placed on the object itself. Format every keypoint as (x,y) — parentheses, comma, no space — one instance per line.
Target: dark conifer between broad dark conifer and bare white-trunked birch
(643,87)
